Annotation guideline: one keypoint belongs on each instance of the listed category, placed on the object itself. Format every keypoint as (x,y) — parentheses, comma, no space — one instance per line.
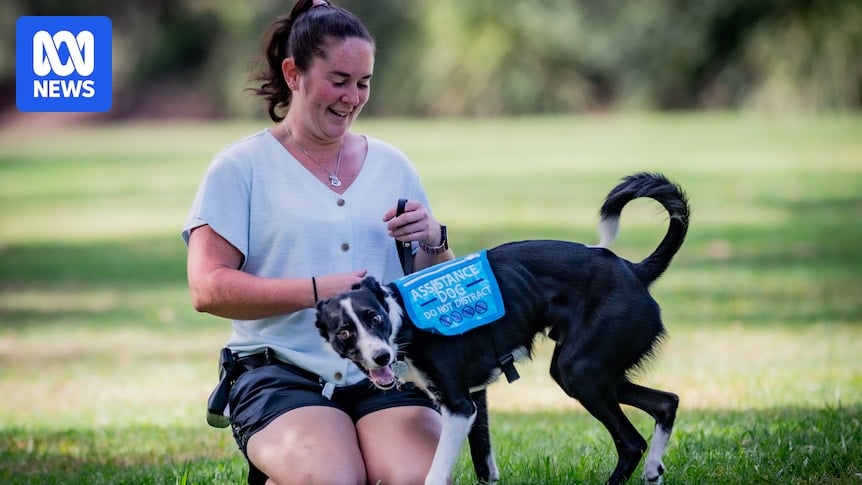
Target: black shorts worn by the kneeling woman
(260,395)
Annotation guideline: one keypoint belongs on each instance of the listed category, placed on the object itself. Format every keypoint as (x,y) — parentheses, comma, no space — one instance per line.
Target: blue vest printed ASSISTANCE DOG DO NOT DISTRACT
(453,297)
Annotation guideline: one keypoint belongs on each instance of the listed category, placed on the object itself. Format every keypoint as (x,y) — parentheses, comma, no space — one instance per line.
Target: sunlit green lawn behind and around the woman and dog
(105,368)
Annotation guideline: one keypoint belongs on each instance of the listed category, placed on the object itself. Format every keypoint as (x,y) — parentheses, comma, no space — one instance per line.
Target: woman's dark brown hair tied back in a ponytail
(302,34)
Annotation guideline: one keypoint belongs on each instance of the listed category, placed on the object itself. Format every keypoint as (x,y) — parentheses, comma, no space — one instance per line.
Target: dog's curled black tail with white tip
(670,196)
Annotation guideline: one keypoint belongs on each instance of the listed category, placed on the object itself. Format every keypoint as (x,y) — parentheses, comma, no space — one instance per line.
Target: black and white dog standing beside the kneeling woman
(592,303)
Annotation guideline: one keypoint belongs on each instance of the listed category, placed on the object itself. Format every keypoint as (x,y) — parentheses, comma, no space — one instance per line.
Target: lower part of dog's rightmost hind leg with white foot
(662,407)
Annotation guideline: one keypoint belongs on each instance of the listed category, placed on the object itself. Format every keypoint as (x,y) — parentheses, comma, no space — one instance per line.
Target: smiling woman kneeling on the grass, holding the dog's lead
(299,213)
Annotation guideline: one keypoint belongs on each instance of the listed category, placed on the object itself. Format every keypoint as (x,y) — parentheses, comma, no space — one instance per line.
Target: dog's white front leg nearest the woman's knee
(456,426)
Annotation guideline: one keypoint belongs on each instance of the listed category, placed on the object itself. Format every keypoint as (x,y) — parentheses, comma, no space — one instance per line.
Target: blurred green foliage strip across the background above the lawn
(494,57)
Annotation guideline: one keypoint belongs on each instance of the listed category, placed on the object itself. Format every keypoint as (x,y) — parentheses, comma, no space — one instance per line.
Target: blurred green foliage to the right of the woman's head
(508,56)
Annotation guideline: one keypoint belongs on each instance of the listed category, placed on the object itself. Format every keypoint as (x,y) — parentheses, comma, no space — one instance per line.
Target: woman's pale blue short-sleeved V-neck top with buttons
(288,224)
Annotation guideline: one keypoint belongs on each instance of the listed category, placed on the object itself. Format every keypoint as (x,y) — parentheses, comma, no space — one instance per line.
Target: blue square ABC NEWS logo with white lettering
(63,64)
